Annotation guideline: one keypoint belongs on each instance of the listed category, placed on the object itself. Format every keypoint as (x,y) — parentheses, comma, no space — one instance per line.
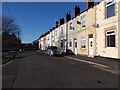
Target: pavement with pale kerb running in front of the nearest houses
(108,64)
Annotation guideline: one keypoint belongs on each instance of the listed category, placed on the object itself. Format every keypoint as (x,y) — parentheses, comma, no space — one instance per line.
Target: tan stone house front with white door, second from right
(87,32)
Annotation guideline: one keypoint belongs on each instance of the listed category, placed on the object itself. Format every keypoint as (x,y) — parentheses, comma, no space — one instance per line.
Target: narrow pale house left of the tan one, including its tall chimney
(73,31)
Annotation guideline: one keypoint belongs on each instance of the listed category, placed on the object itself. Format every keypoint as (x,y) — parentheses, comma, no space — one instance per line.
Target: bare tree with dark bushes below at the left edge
(10,34)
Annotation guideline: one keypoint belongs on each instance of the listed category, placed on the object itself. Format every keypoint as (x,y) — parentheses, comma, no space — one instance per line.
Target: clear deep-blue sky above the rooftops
(35,18)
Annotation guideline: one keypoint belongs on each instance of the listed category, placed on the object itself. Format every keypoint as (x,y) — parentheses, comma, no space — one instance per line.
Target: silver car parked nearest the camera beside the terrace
(53,50)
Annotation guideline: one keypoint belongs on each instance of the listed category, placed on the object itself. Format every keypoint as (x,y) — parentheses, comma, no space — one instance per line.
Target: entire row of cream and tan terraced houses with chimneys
(92,32)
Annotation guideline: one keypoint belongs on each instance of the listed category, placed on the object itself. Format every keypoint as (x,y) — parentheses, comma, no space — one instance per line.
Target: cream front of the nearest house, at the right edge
(107,16)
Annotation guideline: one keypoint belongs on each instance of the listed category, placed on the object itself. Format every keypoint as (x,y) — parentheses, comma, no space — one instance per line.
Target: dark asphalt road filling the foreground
(33,69)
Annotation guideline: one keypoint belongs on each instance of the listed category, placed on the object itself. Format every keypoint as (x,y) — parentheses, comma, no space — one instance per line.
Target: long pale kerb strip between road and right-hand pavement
(93,63)
